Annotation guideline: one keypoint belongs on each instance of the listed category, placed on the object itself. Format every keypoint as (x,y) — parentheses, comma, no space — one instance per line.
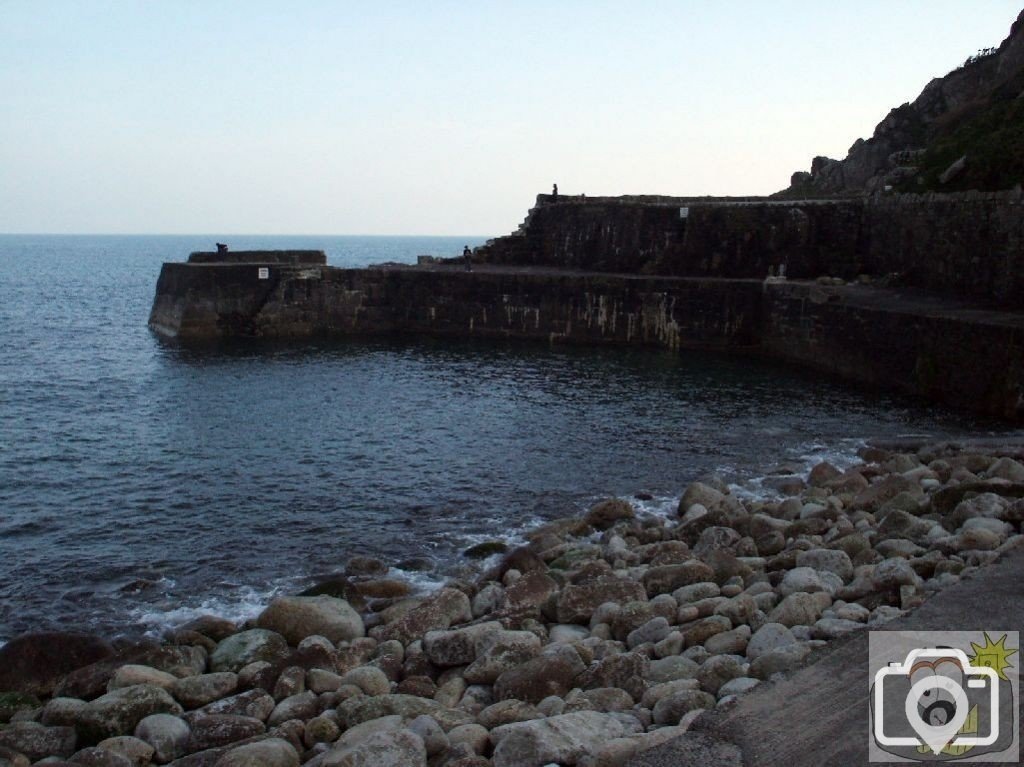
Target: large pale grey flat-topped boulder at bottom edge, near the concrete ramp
(567,739)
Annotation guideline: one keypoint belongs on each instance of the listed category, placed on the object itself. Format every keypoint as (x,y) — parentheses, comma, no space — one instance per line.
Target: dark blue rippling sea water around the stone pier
(142,483)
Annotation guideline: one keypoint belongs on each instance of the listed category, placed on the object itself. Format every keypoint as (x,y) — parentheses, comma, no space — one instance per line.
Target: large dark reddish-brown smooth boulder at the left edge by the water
(33,664)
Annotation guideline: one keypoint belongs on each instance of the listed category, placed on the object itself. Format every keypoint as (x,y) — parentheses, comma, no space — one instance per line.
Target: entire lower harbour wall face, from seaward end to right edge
(938,350)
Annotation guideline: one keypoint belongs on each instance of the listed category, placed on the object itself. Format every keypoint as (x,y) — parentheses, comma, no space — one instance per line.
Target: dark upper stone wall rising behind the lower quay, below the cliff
(968,244)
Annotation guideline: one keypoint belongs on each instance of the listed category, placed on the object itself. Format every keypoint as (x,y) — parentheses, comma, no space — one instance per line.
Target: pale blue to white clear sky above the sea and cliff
(438,118)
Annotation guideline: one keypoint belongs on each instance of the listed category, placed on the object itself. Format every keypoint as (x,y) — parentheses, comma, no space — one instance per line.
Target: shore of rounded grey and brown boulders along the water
(605,636)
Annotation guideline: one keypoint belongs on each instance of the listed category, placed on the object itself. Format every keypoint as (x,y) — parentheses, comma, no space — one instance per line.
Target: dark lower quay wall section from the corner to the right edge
(968,360)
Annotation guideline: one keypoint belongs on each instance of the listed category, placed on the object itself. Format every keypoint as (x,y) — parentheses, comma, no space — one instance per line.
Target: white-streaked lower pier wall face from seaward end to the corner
(196,303)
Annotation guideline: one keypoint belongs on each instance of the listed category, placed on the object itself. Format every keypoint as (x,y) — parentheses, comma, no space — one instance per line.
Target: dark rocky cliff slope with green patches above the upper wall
(965,132)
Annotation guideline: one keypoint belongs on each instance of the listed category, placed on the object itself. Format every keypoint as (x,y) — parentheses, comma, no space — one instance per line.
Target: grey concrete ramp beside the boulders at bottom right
(819,716)
